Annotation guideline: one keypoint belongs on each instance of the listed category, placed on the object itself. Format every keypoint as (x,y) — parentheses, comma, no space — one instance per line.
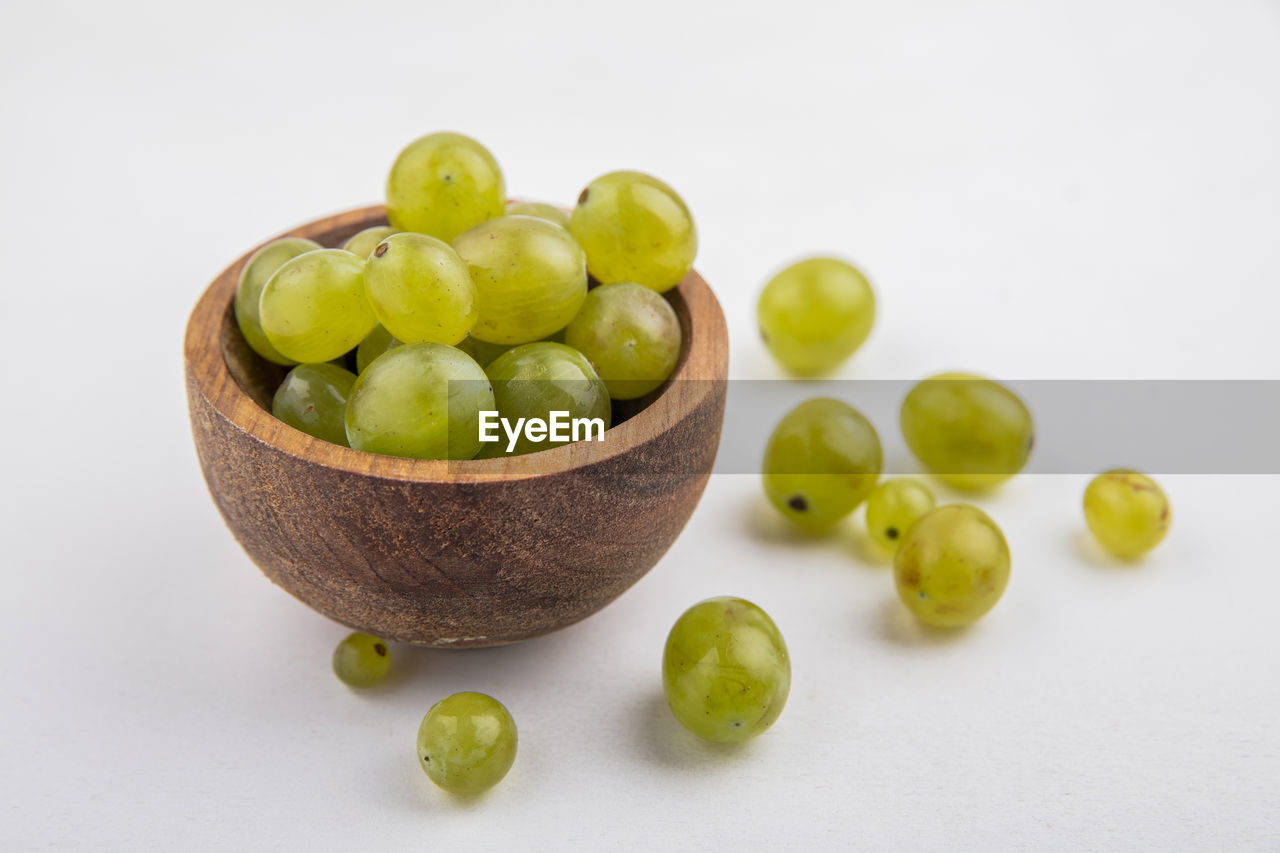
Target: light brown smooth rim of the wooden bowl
(705,364)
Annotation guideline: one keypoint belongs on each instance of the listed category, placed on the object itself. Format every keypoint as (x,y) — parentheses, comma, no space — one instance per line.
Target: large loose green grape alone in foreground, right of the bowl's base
(725,670)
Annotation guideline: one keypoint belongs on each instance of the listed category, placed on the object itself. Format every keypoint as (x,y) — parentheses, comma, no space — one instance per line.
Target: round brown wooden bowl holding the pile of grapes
(442,554)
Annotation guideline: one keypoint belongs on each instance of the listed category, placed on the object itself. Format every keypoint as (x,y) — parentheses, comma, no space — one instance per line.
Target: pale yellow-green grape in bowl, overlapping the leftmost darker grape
(314,308)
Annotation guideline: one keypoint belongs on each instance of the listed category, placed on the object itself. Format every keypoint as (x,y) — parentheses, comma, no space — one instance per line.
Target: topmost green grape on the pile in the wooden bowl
(444,185)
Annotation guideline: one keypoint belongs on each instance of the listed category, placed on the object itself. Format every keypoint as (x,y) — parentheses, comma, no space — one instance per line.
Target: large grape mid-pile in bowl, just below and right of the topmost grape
(532,279)
